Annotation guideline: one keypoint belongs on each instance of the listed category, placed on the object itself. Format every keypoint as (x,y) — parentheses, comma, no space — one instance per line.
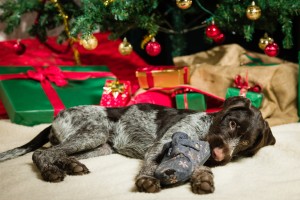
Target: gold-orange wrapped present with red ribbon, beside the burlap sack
(149,77)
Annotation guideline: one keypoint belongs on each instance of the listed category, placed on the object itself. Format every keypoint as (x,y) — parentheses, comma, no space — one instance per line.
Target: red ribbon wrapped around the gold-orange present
(149,73)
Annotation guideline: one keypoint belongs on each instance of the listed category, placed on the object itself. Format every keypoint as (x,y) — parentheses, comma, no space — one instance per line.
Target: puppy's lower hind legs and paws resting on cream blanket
(54,163)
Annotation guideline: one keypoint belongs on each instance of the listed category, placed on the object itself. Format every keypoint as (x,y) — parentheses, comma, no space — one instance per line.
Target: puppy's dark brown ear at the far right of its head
(264,138)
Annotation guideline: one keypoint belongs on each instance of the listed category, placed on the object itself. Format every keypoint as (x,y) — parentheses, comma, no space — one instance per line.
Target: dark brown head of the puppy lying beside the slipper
(239,130)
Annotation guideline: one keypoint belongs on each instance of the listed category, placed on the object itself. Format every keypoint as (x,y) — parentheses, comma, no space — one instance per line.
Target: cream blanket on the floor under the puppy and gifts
(273,173)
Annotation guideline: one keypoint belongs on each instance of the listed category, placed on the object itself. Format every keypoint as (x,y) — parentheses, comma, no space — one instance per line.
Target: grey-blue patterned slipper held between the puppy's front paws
(180,156)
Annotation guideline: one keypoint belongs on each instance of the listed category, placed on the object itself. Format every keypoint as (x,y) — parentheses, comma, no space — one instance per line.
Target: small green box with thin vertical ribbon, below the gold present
(192,101)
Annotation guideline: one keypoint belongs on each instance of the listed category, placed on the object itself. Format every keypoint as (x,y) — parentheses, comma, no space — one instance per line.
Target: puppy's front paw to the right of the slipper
(202,181)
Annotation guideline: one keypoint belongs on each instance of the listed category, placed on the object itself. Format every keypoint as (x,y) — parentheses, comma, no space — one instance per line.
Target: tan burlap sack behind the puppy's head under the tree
(214,71)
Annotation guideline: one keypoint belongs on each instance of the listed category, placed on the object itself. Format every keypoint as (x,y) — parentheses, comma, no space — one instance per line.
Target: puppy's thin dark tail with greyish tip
(37,142)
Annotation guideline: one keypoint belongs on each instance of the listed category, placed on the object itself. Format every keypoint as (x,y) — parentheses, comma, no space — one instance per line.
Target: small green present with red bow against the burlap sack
(242,88)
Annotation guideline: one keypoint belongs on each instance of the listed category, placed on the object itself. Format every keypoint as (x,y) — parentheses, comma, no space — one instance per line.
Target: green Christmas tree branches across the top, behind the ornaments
(152,16)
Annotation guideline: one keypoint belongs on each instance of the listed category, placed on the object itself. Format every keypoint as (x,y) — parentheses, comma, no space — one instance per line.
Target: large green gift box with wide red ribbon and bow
(26,101)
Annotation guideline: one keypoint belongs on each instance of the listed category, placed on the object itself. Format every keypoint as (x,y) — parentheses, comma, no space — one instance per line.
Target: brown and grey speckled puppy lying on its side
(140,131)
